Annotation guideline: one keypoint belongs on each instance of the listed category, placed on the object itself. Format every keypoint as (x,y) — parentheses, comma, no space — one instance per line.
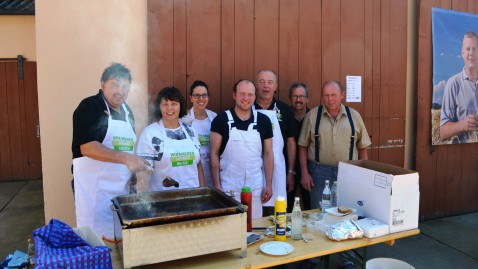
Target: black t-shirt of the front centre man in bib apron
(220,126)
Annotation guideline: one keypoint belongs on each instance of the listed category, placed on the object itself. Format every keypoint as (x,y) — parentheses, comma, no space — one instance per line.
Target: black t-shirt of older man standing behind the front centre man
(288,127)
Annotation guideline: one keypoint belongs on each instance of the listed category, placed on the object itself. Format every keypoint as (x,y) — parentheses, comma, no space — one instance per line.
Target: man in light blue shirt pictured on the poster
(459,112)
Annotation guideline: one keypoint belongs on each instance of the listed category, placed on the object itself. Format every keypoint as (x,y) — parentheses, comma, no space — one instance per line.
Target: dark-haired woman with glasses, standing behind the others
(200,119)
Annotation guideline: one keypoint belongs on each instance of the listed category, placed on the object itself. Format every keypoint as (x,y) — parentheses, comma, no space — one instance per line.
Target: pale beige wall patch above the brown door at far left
(17,37)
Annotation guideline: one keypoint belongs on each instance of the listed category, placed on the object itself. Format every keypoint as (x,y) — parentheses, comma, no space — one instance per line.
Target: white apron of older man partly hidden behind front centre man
(279,186)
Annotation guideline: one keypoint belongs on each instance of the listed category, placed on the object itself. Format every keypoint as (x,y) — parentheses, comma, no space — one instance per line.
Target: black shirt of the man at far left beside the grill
(90,121)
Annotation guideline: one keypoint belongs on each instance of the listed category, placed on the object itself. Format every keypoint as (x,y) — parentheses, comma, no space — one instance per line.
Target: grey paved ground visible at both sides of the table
(442,244)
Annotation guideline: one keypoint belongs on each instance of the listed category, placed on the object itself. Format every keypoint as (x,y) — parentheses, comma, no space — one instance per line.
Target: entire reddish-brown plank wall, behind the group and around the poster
(221,41)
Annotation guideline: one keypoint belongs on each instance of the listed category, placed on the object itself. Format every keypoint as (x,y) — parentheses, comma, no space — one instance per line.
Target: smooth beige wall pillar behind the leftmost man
(75,41)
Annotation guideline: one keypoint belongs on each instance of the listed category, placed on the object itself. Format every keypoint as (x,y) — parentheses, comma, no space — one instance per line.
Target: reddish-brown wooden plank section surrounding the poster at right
(448,173)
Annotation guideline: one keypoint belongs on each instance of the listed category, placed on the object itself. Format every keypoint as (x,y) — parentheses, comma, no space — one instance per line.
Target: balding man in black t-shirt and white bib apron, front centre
(241,147)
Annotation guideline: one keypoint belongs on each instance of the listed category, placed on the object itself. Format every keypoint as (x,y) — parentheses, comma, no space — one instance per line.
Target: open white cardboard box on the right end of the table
(384,192)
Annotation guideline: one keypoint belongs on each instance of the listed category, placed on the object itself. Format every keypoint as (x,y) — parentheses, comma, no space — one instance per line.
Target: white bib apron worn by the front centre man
(241,163)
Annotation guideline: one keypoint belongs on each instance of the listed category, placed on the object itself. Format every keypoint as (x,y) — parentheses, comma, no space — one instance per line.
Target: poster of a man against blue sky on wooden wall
(455,77)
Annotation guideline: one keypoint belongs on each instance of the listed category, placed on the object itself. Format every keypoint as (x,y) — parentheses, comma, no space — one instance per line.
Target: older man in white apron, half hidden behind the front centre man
(285,130)
